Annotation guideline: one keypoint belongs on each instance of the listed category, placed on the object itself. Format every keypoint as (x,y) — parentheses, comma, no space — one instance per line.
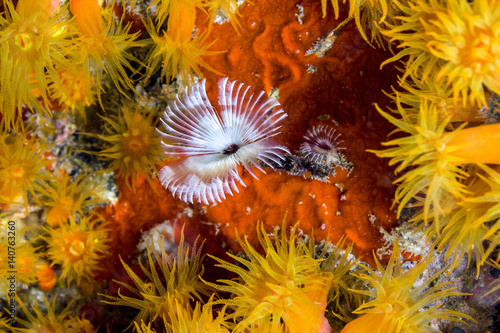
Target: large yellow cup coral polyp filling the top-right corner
(455,40)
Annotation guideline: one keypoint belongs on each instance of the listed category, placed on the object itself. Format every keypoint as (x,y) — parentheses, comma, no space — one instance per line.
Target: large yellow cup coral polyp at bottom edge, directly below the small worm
(286,286)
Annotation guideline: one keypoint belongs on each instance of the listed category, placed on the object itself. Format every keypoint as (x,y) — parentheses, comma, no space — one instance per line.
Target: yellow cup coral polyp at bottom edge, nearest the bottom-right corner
(397,305)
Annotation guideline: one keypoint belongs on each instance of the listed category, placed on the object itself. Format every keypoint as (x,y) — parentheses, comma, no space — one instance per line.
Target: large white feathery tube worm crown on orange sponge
(211,145)
